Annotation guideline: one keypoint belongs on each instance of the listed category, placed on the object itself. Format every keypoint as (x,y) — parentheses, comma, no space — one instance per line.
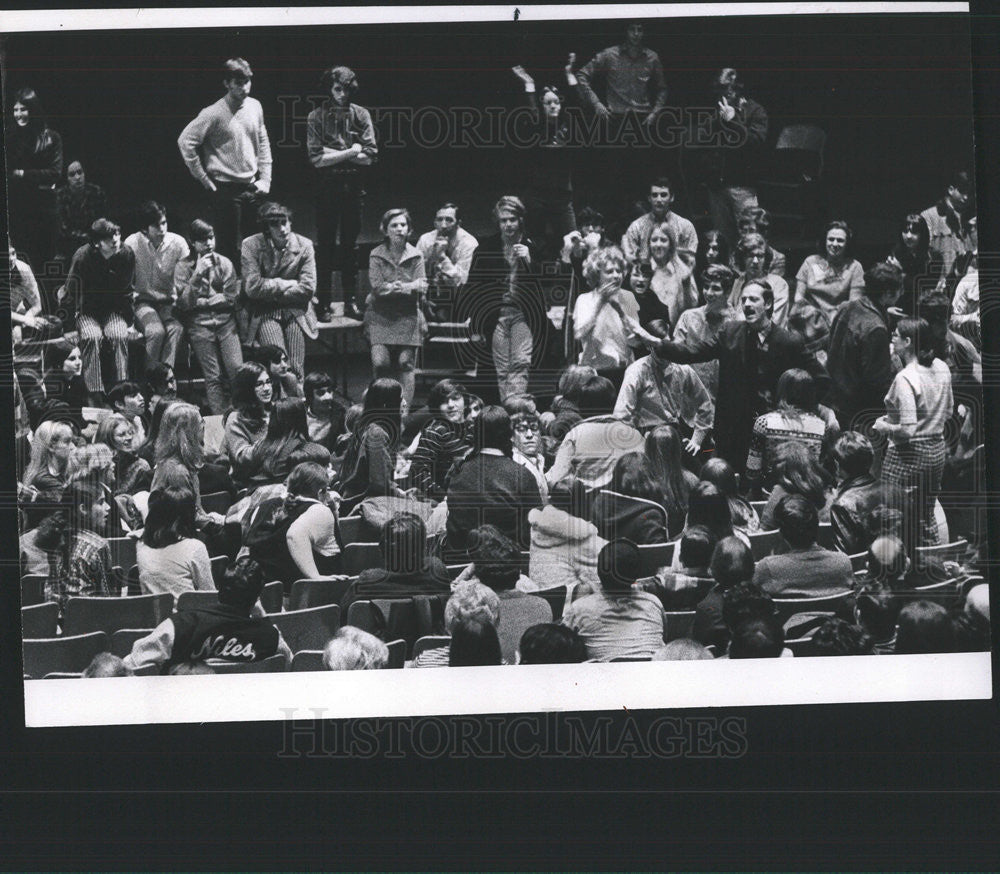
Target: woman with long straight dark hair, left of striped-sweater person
(369,466)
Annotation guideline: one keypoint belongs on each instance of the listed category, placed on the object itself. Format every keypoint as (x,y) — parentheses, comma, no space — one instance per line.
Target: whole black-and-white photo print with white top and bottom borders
(542,348)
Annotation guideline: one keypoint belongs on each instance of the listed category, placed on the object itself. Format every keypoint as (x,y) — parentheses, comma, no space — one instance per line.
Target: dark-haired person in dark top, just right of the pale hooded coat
(632,506)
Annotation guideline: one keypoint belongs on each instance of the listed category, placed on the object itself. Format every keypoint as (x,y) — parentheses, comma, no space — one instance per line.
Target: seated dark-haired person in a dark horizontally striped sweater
(444,439)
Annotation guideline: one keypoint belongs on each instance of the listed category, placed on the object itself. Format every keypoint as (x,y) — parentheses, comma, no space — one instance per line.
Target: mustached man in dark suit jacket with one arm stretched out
(752,355)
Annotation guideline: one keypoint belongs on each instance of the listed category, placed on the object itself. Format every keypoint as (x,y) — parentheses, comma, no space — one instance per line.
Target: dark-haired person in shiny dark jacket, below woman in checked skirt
(858,493)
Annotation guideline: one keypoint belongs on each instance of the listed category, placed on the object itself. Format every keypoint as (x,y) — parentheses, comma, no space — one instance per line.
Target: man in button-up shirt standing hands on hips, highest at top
(635,92)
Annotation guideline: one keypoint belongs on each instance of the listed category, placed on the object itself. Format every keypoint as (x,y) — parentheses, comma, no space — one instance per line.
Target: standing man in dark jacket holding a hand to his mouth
(739,131)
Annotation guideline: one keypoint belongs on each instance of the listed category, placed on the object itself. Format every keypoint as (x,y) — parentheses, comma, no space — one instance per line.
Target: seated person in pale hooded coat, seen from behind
(564,545)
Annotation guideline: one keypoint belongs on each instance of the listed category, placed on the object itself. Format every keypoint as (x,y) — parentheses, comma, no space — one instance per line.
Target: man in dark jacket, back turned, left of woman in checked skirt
(858,359)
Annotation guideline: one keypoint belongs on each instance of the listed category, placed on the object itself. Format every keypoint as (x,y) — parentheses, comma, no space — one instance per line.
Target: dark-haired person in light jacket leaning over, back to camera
(591,448)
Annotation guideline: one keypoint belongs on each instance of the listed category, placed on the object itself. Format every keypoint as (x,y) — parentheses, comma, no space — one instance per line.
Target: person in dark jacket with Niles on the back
(226,630)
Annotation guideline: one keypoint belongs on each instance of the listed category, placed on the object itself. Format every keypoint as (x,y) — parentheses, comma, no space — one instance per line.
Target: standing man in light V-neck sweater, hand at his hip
(227,150)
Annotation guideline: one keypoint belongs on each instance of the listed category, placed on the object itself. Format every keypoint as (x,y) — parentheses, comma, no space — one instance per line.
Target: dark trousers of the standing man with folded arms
(339,202)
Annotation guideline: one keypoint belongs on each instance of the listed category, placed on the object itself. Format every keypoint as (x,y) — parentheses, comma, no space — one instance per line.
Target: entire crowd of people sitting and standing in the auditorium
(770,442)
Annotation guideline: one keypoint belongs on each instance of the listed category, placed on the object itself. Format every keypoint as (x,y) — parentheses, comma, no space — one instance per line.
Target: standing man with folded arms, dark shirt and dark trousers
(340,140)
